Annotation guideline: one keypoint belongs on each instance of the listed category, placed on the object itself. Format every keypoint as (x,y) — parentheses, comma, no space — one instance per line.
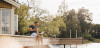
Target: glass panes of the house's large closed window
(5,23)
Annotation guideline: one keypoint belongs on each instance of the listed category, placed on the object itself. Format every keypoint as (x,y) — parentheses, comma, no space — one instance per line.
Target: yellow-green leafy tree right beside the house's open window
(23,14)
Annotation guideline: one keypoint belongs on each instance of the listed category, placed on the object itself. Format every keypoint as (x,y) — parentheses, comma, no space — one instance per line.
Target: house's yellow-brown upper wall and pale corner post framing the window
(5,6)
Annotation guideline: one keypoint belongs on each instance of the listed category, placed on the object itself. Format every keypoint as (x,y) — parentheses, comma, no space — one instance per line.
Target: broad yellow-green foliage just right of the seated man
(51,26)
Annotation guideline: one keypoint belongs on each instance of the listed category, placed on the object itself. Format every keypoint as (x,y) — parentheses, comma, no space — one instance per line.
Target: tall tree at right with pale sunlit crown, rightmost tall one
(85,19)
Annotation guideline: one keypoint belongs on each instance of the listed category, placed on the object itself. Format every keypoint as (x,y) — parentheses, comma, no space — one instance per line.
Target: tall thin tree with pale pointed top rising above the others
(61,13)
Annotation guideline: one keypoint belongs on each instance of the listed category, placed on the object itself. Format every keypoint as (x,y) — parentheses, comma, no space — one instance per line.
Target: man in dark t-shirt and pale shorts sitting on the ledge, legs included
(34,32)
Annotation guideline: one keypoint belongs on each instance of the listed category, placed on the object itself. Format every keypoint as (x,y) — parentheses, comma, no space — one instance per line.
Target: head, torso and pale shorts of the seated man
(33,29)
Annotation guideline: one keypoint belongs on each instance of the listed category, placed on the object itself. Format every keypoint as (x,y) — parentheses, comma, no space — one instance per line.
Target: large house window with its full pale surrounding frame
(5,20)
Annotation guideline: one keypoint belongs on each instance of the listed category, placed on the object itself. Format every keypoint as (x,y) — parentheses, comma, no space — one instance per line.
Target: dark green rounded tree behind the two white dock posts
(72,23)
